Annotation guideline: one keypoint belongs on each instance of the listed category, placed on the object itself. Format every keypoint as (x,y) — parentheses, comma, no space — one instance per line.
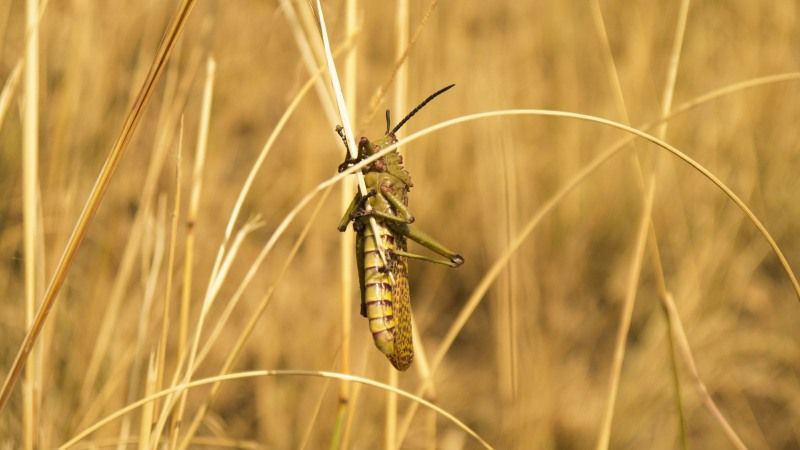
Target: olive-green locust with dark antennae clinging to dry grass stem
(383,279)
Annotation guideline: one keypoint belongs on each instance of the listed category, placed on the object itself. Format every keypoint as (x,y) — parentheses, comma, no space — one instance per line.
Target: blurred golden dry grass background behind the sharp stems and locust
(531,367)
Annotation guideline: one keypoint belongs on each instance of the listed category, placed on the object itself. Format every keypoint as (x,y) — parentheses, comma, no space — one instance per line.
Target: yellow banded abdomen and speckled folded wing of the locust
(388,303)
